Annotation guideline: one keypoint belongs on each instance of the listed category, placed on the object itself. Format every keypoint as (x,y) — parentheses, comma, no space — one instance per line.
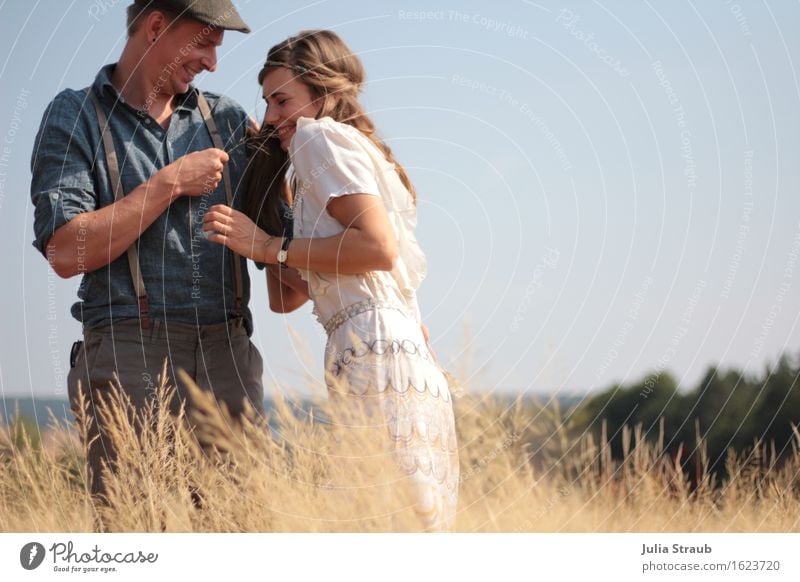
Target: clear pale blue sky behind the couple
(606,188)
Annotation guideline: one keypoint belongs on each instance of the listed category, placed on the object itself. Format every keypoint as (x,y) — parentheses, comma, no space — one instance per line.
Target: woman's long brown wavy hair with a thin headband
(324,63)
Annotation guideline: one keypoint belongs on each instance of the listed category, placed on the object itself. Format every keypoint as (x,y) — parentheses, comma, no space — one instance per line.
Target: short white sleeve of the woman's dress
(330,162)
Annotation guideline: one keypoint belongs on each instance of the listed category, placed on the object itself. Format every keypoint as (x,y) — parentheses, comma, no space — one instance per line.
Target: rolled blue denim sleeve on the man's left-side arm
(62,185)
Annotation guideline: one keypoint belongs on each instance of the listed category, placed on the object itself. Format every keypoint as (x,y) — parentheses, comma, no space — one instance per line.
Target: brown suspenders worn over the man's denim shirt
(116,184)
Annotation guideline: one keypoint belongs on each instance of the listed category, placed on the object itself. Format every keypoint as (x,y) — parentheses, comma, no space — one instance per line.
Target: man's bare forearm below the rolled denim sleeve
(94,239)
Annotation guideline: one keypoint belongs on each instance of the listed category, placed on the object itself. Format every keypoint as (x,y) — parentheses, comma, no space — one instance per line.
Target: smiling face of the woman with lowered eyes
(288,99)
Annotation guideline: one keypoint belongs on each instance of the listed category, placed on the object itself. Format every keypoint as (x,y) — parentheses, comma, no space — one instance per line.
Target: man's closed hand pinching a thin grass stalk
(194,174)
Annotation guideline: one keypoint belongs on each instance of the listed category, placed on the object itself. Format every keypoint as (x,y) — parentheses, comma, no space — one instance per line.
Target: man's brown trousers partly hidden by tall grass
(220,358)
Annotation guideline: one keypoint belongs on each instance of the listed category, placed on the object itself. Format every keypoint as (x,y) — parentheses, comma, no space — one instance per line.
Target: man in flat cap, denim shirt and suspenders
(122,175)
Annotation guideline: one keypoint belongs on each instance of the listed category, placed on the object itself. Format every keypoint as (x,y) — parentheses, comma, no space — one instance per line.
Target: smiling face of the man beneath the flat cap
(185,48)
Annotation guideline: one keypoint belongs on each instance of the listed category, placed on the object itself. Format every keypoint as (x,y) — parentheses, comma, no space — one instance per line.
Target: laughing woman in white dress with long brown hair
(351,249)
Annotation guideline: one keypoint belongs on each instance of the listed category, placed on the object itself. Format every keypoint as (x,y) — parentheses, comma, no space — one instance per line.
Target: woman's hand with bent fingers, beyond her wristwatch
(236,231)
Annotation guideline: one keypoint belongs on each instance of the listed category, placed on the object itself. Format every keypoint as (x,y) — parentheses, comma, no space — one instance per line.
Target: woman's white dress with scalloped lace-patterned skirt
(376,352)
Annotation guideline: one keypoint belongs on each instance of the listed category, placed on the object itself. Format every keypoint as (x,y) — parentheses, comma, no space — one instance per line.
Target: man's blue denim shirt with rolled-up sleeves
(188,279)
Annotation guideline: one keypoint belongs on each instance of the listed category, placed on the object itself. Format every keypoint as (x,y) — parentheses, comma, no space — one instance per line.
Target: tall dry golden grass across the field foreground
(521,470)
